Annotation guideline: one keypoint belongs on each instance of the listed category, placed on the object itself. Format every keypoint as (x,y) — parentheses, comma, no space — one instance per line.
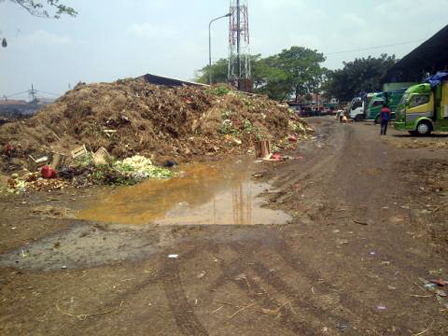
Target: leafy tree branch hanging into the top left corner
(38,8)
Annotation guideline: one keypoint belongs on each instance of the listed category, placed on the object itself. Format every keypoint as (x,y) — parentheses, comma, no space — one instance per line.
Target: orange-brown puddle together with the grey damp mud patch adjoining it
(134,223)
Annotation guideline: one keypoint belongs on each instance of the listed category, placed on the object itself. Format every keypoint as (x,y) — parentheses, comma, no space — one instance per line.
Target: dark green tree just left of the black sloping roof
(360,75)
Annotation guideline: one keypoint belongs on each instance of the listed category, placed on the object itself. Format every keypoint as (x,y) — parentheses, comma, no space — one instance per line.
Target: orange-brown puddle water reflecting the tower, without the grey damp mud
(219,193)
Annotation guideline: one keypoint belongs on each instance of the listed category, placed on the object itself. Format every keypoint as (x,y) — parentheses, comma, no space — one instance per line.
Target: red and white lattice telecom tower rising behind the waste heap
(239,54)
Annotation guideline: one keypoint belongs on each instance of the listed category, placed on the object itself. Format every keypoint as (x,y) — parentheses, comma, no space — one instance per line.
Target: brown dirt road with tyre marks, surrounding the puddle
(369,226)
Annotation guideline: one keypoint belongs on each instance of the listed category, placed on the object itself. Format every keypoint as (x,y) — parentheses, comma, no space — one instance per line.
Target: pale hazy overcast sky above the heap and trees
(112,39)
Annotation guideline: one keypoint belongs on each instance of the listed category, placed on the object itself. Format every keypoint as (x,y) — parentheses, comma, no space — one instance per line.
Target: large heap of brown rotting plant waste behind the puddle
(129,117)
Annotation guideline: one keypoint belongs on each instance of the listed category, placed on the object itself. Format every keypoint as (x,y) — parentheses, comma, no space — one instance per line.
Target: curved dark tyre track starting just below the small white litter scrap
(182,311)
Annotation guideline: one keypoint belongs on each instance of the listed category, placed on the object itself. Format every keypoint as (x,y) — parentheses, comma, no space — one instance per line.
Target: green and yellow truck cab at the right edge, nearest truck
(424,107)
